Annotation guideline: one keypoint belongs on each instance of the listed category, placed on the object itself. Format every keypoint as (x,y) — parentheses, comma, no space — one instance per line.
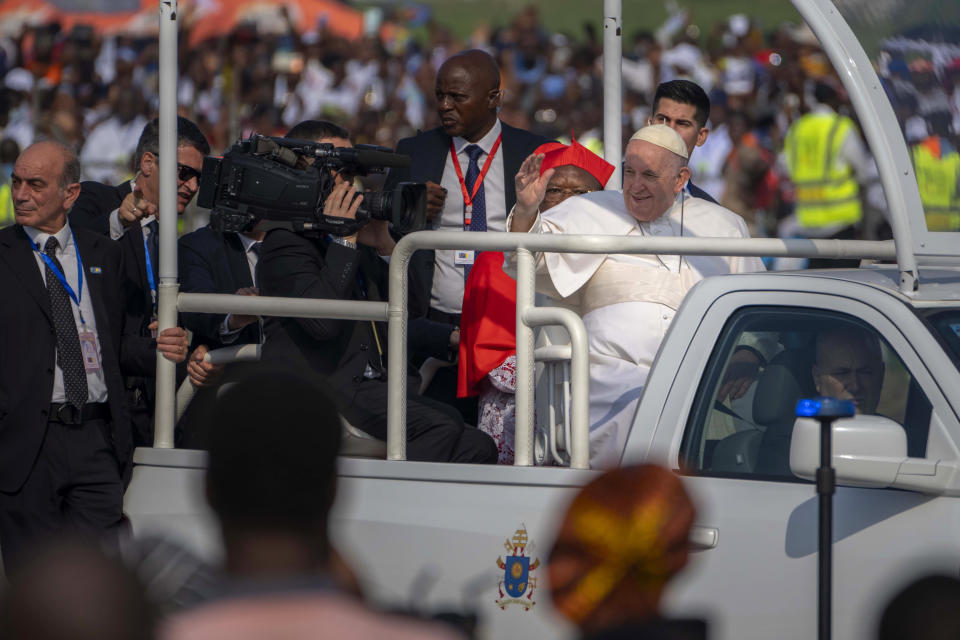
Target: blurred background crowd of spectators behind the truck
(90,80)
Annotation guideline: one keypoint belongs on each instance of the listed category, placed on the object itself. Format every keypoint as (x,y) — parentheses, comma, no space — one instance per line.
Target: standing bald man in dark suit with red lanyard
(469,164)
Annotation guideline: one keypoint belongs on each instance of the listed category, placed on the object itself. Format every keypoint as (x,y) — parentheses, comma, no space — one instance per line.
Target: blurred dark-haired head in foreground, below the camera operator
(271,479)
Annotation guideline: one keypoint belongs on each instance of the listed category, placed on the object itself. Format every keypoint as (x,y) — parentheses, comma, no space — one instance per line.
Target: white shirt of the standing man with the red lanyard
(447,292)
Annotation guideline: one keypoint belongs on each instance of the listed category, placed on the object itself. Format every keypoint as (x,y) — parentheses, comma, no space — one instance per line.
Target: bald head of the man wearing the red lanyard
(468,94)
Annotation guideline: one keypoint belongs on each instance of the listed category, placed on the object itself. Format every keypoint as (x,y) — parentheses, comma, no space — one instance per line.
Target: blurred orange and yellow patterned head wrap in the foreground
(623,537)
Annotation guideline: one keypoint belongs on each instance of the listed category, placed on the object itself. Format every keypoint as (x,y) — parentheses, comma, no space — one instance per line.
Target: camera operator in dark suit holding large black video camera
(349,356)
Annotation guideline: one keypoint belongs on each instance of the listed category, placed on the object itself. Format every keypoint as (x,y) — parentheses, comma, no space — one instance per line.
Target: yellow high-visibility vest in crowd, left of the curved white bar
(826,191)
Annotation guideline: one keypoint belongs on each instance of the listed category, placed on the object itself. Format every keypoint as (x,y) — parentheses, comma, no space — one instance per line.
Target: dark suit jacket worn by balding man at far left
(28,345)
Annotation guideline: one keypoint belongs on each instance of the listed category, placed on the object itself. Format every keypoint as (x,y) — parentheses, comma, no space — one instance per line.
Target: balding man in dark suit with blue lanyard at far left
(64,422)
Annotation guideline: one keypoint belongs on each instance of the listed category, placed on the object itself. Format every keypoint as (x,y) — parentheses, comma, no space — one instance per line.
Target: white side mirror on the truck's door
(868,451)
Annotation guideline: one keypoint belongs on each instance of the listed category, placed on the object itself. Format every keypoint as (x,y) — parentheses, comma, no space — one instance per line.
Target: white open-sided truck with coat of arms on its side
(434,536)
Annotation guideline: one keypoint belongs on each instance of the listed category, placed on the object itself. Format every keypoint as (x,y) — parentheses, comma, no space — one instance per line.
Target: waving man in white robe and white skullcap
(626,301)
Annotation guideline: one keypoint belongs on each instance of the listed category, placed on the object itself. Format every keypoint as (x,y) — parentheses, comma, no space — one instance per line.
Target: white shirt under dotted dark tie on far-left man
(67,255)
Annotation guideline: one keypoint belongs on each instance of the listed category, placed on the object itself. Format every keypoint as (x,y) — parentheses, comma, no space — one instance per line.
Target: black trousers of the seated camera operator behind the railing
(435,431)
